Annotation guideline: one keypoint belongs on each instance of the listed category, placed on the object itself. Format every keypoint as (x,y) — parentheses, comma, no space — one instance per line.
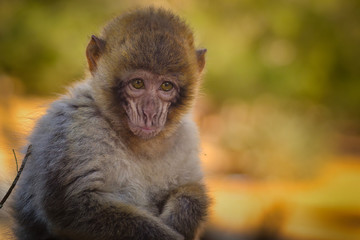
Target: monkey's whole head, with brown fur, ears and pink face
(146,72)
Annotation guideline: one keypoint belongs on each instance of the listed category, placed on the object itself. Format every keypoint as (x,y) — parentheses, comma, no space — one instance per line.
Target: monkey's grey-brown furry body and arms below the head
(82,182)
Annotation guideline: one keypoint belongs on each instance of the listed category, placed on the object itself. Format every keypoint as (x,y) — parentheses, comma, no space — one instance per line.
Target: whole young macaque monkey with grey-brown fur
(117,157)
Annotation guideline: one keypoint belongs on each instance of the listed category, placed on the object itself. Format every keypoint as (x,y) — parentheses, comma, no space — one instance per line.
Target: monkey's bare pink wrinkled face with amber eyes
(146,100)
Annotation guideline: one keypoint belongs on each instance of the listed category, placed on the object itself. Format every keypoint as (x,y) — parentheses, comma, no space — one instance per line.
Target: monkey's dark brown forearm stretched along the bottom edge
(87,216)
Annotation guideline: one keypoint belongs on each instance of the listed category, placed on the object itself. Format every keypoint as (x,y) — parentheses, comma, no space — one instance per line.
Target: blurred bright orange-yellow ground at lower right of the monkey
(327,207)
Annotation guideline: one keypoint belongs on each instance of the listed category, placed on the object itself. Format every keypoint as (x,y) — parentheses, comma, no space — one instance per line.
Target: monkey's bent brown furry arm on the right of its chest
(186,209)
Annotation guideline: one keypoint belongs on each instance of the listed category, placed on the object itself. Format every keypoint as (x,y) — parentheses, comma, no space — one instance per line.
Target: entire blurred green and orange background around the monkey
(279,113)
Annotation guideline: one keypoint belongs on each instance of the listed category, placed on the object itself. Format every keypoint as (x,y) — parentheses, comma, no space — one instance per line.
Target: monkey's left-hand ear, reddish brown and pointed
(94,50)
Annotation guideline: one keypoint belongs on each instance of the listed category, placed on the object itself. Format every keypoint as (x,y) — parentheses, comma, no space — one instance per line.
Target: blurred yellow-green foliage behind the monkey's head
(300,49)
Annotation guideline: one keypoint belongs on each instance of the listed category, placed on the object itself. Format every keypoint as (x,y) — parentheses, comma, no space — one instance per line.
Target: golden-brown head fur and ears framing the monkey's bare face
(154,40)
